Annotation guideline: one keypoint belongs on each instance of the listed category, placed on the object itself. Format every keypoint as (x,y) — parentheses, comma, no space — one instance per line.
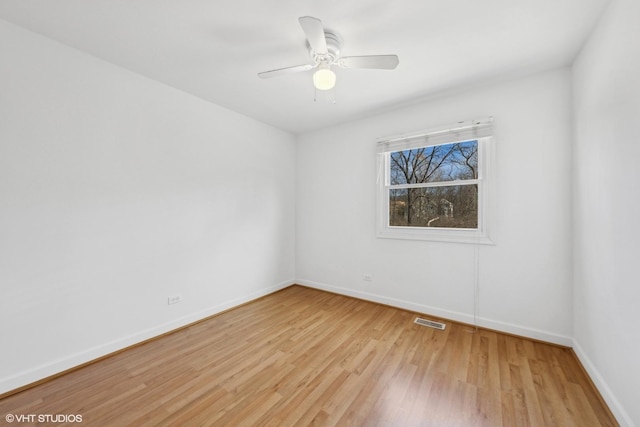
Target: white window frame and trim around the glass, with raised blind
(463,131)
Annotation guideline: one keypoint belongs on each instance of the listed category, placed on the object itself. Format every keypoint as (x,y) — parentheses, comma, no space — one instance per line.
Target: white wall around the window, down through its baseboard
(525,279)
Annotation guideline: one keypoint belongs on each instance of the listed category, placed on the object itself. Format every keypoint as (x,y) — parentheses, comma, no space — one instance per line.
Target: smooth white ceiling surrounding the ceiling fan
(214,49)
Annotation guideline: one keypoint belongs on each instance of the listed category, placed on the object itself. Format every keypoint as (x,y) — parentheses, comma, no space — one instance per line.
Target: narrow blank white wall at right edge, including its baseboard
(607,208)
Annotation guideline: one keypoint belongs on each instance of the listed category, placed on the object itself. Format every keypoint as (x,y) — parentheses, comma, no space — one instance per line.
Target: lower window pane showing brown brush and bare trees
(454,206)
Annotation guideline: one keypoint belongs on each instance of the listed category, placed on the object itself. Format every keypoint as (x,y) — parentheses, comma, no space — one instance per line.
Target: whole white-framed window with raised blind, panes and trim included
(435,186)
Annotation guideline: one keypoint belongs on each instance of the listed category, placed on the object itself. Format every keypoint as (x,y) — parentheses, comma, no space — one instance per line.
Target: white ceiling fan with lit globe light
(324,51)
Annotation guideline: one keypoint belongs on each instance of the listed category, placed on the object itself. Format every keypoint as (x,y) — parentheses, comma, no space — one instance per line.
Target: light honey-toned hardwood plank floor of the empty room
(305,357)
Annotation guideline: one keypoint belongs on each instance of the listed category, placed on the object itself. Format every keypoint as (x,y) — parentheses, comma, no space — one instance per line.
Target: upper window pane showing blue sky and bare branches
(439,163)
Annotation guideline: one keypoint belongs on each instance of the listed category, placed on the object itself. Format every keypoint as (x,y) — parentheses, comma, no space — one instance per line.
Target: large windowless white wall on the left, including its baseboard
(116,192)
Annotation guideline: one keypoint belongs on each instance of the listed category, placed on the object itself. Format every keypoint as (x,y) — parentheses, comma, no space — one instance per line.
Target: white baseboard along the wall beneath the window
(446,314)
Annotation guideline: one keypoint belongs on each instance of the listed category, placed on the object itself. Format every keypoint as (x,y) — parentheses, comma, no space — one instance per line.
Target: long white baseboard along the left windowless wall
(54,367)
